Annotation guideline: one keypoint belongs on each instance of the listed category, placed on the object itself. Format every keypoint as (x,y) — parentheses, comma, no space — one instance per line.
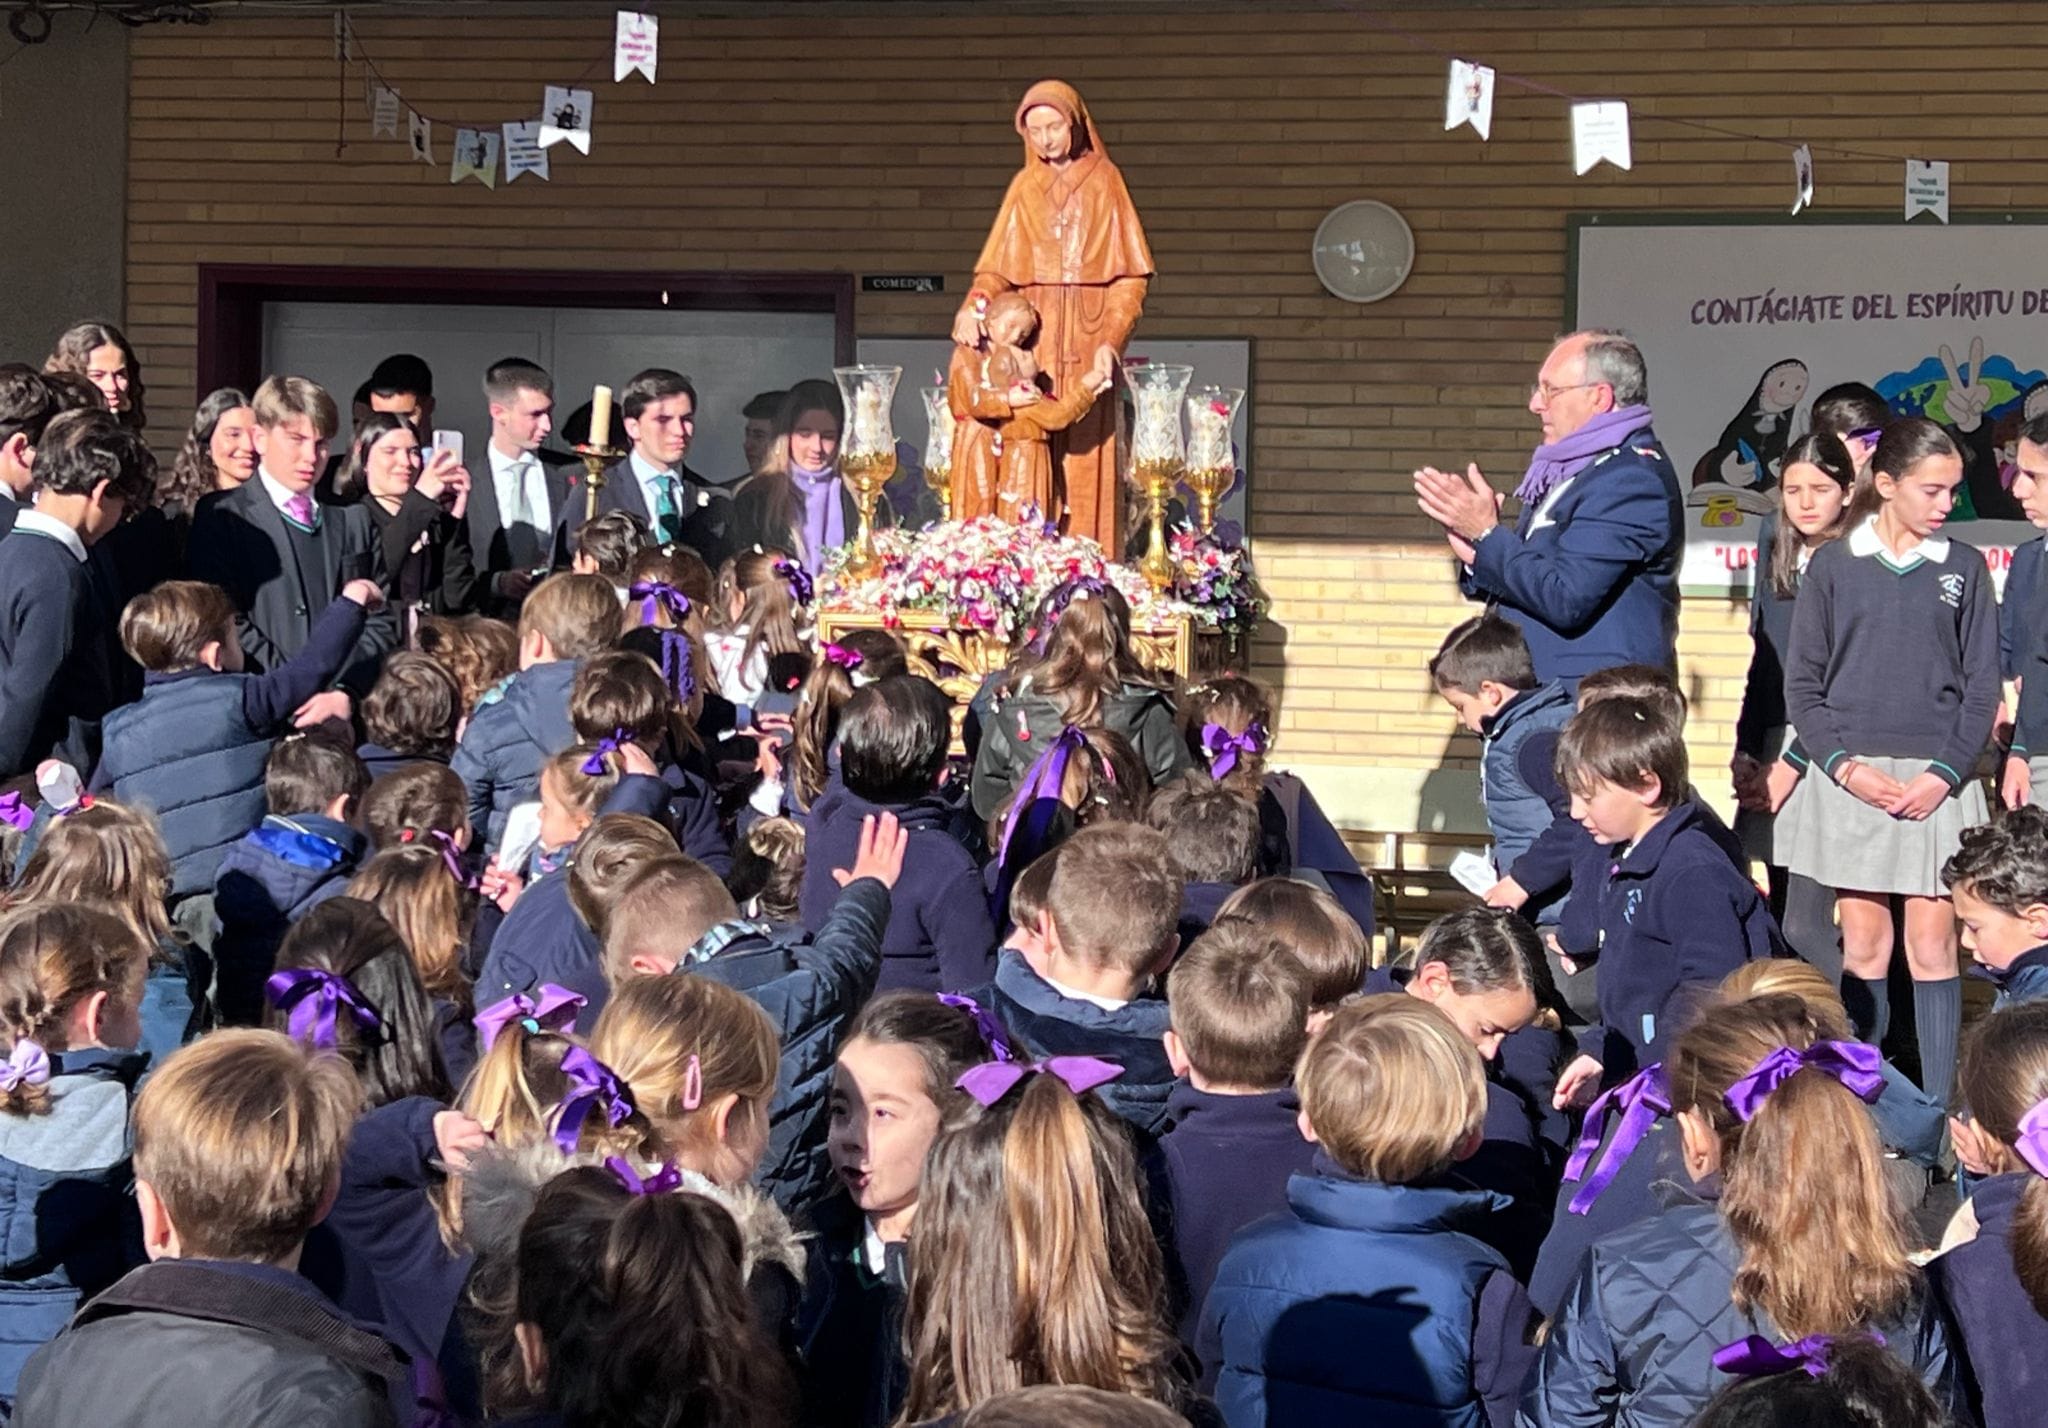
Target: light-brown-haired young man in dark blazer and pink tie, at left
(282,556)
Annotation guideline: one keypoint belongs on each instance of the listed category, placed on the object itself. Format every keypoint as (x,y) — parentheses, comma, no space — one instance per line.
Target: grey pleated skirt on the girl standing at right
(1832,837)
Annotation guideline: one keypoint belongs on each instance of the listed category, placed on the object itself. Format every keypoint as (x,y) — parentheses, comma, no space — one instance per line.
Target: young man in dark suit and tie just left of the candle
(521,493)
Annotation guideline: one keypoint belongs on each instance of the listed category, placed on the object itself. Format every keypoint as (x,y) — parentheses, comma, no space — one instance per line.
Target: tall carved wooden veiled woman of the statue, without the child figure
(1070,241)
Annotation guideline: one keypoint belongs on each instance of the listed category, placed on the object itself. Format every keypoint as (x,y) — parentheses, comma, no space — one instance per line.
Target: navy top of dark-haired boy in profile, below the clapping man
(1674,921)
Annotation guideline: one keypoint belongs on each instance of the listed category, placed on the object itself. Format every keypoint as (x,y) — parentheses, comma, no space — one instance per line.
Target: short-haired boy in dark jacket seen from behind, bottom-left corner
(239,1154)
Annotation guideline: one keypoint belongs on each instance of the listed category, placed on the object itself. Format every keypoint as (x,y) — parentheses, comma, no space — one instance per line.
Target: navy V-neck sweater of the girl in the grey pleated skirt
(1895,659)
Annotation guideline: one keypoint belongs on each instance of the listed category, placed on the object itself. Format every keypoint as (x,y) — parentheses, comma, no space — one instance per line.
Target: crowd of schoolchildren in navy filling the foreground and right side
(634,1013)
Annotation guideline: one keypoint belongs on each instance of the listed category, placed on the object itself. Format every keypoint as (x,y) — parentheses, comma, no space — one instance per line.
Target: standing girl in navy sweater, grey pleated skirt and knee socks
(1893,687)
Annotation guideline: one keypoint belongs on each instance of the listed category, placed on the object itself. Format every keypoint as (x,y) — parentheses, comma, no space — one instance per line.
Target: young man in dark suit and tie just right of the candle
(652,482)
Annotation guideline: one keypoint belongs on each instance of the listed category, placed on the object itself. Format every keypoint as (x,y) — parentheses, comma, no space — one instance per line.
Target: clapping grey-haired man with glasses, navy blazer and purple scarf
(1590,569)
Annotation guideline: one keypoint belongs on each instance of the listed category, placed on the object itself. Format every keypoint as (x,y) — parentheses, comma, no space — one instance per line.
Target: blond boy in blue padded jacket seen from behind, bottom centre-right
(1373,1249)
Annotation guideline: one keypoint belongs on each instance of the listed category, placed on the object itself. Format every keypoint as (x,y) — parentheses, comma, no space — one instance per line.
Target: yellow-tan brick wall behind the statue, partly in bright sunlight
(880,142)
